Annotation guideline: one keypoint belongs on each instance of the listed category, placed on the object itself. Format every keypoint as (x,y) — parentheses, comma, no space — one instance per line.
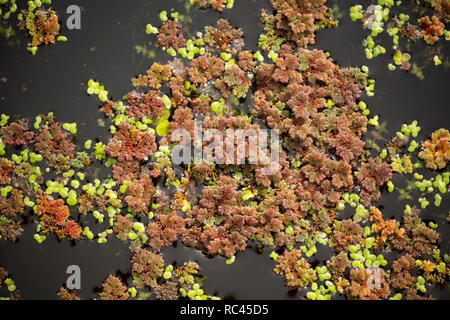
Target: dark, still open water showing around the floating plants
(54,80)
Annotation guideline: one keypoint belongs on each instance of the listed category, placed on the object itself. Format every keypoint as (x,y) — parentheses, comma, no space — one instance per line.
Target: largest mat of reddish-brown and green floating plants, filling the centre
(324,167)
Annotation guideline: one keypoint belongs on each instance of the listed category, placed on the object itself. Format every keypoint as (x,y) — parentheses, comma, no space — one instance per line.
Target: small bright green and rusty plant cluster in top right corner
(385,16)
